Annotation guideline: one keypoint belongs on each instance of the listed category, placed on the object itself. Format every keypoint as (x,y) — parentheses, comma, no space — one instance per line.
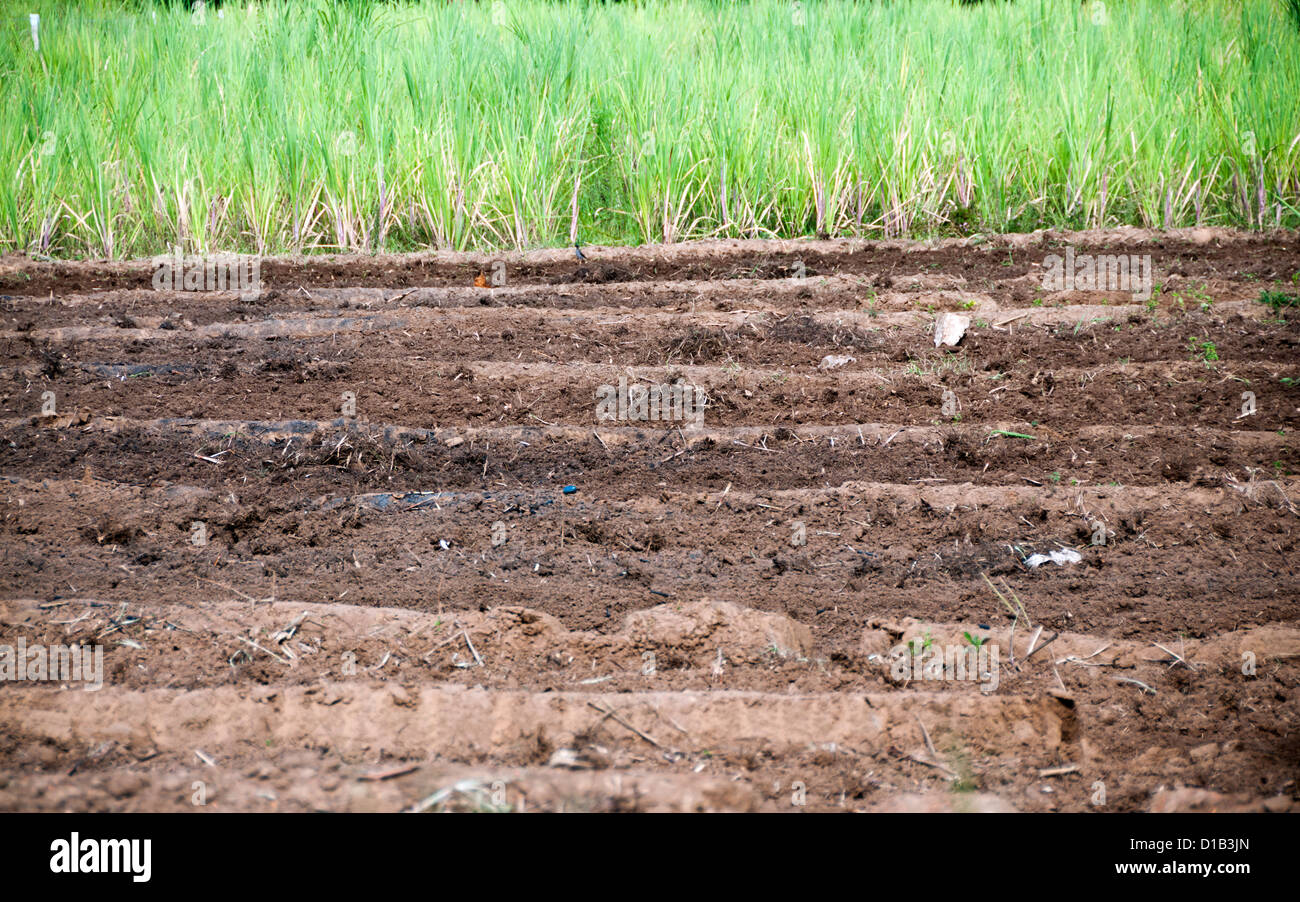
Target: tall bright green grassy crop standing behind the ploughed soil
(326,127)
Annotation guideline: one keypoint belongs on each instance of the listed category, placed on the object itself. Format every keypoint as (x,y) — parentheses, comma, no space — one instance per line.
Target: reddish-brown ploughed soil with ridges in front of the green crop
(323,540)
